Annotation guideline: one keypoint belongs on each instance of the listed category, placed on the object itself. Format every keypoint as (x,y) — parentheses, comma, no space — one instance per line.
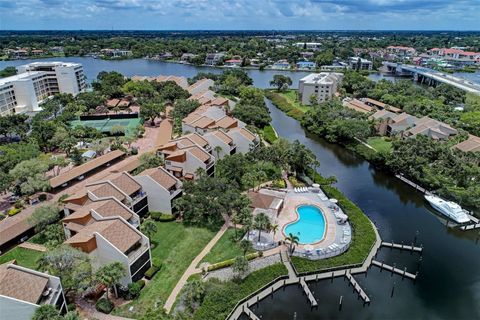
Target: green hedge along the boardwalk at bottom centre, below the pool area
(218,303)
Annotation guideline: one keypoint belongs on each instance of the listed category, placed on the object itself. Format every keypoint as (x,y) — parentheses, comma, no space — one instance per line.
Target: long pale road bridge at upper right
(431,77)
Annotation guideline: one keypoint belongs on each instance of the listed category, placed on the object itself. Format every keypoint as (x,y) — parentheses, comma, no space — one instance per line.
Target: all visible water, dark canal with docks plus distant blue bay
(449,282)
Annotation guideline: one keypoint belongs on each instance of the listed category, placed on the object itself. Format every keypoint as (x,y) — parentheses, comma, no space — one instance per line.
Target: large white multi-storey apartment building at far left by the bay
(25,92)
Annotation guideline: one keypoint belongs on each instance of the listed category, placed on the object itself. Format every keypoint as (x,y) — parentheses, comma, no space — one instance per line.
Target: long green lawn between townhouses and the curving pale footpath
(175,246)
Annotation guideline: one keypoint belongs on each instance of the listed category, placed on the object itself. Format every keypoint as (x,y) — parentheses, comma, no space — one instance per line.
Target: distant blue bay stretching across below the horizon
(145,67)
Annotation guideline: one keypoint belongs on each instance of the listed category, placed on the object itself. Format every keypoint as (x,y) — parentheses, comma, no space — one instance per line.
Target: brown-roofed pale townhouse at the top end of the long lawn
(163,185)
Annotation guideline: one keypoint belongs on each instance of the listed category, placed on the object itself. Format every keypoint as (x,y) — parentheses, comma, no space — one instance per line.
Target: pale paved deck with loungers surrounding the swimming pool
(333,231)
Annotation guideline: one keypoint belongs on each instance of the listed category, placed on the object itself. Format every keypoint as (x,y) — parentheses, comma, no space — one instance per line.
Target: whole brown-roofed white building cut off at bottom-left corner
(23,290)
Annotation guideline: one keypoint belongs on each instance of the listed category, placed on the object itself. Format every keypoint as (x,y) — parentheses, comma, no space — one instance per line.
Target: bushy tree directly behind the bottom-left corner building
(71,265)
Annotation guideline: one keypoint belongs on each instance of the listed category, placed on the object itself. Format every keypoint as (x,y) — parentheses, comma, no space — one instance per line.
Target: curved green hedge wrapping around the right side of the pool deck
(362,242)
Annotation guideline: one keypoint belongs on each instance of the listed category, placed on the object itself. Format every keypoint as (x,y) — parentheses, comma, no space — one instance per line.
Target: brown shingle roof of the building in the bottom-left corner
(20,284)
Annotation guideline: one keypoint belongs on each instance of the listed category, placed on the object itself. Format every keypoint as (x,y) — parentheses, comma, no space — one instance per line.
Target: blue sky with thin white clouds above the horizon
(240,15)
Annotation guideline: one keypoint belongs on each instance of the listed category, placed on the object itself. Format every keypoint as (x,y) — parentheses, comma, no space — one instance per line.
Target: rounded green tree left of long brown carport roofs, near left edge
(29,176)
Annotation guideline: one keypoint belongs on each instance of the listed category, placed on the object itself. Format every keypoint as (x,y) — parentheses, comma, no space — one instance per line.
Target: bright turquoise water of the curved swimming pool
(310,226)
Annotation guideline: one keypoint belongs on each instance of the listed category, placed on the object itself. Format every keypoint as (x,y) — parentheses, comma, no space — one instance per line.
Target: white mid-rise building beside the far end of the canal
(322,86)
